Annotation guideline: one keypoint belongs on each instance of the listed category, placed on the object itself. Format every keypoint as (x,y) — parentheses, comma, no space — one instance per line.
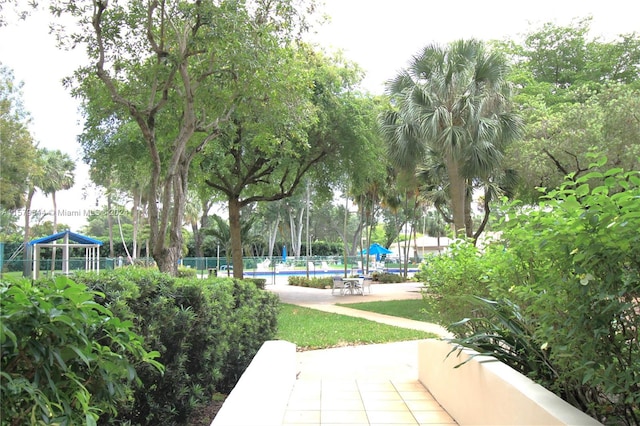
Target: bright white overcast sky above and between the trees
(380,35)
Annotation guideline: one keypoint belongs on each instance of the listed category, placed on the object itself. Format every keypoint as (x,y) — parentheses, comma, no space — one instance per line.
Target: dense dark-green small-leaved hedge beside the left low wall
(206,331)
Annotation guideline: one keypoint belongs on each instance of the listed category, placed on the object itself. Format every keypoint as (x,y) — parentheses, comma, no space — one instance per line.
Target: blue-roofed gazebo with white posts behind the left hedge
(69,240)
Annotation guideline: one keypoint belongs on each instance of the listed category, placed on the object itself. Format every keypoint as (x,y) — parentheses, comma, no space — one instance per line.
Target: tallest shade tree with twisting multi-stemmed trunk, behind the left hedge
(178,70)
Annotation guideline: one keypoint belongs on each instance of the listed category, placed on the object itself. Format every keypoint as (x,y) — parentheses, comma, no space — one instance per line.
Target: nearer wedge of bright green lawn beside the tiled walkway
(312,329)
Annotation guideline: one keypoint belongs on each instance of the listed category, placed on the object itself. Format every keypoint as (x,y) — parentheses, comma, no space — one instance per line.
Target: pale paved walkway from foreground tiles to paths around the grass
(361,385)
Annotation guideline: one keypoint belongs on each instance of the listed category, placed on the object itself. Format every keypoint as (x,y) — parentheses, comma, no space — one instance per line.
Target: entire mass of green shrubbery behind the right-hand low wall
(560,293)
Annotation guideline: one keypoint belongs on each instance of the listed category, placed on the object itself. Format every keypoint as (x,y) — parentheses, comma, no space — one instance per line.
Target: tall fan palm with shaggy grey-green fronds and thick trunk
(452,103)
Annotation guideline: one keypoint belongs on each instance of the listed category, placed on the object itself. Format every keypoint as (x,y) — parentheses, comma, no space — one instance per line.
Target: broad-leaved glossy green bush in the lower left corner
(65,358)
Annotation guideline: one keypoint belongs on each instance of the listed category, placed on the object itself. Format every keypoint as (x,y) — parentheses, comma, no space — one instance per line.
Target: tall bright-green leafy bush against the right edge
(585,290)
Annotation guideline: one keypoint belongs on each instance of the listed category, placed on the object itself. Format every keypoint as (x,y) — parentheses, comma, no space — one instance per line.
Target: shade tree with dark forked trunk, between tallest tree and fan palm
(306,127)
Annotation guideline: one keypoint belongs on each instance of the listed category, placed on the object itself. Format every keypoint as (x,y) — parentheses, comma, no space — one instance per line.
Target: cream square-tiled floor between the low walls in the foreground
(363,402)
